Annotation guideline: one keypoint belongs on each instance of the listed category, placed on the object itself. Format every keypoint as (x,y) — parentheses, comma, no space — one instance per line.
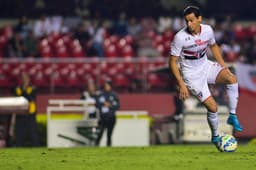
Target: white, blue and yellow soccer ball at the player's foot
(228,143)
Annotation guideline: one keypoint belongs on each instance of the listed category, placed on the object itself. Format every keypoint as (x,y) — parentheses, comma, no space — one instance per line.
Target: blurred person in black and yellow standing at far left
(26,126)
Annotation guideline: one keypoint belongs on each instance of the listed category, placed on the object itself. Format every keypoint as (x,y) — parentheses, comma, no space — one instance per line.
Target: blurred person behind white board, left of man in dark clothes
(91,94)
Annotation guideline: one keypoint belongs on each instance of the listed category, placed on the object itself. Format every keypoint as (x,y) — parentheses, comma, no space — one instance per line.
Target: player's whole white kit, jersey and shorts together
(197,71)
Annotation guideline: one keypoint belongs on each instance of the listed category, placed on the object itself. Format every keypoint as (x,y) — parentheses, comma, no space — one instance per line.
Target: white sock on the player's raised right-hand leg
(232,92)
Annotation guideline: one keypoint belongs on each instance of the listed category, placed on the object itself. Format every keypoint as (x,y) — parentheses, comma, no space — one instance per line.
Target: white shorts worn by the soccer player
(197,80)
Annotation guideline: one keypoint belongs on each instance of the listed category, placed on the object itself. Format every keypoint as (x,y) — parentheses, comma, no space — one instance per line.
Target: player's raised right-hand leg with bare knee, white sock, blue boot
(229,79)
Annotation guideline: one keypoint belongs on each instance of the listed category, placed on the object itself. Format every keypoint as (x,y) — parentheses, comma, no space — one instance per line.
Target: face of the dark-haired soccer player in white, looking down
(193,23)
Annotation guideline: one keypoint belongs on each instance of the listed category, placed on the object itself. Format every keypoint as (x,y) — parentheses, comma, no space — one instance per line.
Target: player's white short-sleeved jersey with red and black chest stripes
(192,48)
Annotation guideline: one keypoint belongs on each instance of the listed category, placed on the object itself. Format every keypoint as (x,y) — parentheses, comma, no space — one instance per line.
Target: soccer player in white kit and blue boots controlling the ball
(196,71)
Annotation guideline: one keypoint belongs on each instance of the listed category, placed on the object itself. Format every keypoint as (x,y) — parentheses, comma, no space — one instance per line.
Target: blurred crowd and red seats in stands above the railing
(56,36)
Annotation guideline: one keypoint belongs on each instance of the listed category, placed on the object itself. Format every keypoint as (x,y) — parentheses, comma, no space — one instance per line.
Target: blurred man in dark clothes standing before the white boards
(108,104)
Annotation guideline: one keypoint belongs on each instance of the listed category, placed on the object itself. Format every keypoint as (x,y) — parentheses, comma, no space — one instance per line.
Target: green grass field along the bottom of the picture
(187,157)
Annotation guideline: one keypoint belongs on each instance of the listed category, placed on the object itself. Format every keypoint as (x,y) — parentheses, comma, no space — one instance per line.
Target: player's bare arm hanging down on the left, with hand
(183,91)
